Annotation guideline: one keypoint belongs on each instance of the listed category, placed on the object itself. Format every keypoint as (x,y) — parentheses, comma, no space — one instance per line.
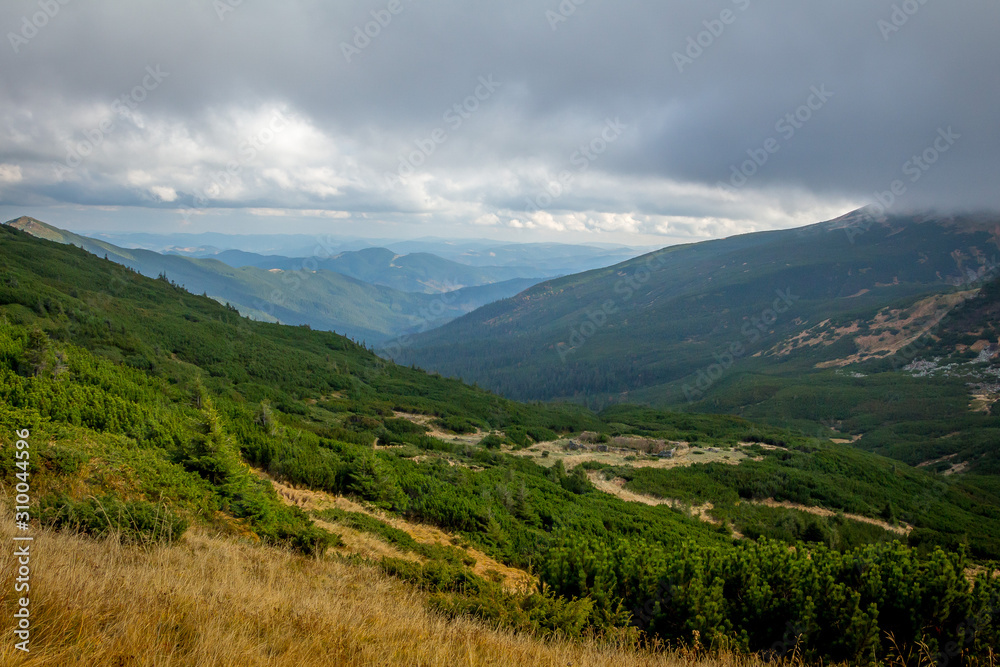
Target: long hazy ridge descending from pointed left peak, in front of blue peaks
(320,299)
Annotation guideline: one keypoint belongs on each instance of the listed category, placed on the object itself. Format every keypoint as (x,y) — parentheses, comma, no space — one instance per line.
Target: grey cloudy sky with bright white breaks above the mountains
(583,120)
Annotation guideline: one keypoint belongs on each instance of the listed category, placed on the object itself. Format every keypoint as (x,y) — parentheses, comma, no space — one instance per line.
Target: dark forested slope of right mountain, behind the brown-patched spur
(651,324)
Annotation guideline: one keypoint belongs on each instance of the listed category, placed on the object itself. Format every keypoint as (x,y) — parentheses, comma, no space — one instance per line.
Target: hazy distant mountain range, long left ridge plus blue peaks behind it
(297,292)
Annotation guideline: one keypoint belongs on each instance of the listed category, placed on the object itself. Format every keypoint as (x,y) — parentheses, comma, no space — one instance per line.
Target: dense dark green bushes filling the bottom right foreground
(857,606)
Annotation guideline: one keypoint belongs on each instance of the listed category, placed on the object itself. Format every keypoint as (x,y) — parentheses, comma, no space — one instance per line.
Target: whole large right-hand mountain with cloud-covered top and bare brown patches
(769,326)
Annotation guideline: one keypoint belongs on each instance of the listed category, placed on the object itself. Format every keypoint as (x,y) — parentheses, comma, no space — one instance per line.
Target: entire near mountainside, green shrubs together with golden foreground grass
(158,427)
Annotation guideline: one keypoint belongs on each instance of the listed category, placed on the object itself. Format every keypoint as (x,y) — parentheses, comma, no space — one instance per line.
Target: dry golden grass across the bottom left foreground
(215,601)
